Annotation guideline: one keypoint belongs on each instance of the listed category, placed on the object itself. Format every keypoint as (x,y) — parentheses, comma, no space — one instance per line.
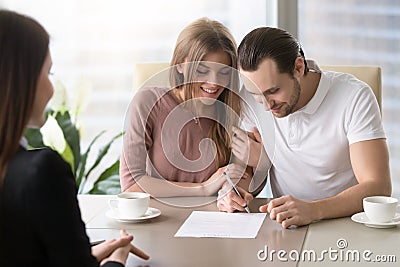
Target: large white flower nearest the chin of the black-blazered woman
(53,135)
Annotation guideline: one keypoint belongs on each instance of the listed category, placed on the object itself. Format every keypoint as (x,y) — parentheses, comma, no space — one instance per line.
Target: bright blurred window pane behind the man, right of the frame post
(359,32)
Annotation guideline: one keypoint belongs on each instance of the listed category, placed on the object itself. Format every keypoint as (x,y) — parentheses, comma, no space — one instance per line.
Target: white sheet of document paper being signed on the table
(221,224)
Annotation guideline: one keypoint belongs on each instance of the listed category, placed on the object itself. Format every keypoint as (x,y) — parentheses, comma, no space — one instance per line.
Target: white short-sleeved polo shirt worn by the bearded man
(309,149)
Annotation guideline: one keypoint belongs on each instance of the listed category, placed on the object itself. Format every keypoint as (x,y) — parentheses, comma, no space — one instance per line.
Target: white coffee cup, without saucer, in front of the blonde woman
(130,205)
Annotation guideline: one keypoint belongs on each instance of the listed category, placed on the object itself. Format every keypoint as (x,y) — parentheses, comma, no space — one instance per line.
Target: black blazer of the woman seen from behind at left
(41,222)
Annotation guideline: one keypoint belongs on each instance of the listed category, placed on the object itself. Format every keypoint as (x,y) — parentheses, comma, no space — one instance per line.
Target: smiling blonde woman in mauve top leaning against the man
(177,140)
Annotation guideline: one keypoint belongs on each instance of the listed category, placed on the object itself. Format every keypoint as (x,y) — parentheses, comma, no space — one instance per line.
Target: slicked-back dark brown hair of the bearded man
(272,43)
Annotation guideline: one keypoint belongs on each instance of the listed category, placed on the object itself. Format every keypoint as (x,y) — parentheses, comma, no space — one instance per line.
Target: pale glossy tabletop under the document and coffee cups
(155,236)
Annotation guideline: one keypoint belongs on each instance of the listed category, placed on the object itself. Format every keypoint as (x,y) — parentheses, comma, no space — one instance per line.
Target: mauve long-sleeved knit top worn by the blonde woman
(163,140)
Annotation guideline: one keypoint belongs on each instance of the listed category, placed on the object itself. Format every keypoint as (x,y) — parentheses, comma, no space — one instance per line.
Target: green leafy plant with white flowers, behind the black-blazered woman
(61,133)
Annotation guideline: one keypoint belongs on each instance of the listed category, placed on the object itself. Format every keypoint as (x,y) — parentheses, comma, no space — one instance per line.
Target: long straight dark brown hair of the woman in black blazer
(24,45)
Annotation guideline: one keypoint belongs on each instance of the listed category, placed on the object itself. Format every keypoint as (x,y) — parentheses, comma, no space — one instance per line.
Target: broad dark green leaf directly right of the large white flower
(71,135)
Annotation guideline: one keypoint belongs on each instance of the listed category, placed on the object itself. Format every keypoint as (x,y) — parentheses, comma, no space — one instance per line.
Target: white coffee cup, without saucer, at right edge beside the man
(380,209)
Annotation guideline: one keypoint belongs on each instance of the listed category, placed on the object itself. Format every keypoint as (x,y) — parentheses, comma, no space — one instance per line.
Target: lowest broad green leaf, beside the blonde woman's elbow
(108,182)
